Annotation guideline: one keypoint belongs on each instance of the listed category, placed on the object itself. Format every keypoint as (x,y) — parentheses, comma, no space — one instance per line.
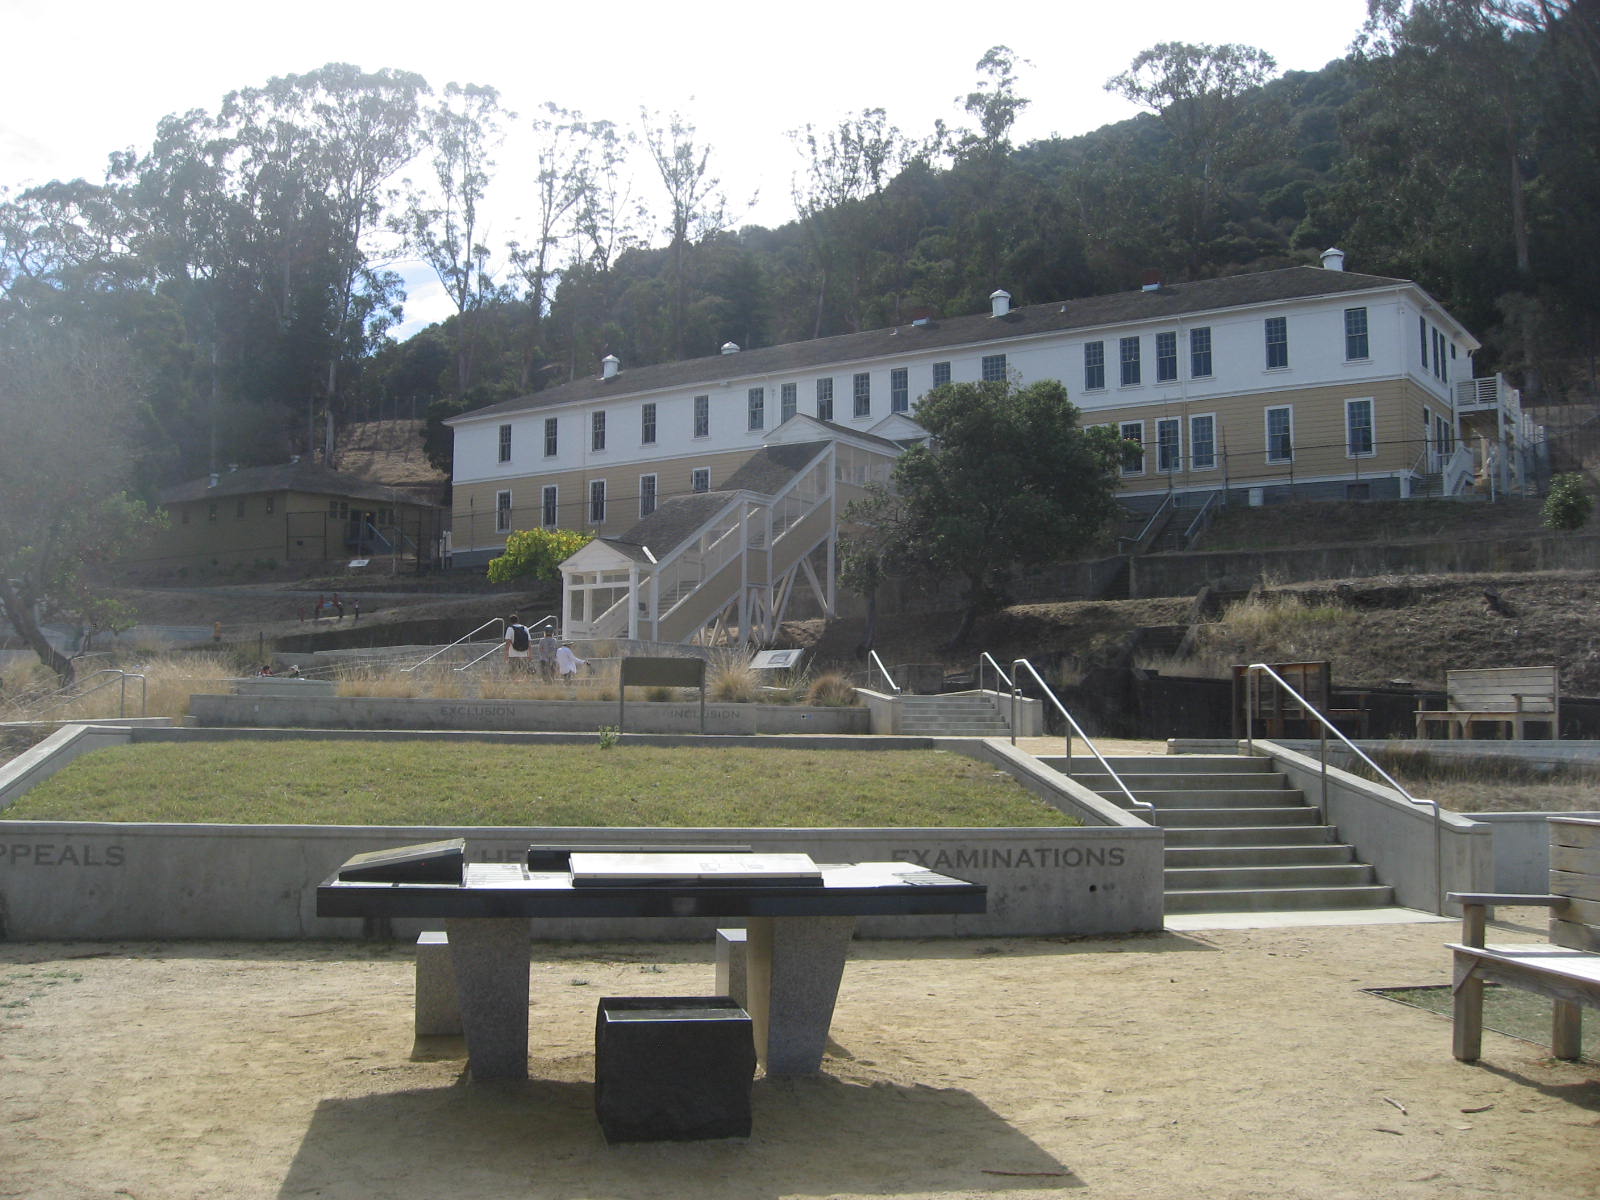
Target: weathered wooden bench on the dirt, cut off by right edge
(1567,969)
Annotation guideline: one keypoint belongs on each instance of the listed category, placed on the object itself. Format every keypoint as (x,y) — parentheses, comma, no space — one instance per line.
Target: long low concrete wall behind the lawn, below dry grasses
(369,713)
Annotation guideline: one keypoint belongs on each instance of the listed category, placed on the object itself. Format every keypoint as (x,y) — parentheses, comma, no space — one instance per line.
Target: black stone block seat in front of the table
(673,1068)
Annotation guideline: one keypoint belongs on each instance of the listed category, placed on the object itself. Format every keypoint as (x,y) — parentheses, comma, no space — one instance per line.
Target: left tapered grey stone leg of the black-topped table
(492,982)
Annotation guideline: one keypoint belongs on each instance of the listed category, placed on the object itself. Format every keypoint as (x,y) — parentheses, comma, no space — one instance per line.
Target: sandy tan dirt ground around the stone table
(1230,1063)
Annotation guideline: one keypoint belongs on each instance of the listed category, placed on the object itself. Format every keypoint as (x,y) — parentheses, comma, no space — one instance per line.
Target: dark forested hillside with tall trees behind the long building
(228,292)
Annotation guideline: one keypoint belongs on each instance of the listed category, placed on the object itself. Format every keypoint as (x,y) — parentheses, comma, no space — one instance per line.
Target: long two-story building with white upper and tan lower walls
(1306,382)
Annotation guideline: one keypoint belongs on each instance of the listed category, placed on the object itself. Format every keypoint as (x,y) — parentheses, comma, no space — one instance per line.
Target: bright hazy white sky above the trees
(87,79)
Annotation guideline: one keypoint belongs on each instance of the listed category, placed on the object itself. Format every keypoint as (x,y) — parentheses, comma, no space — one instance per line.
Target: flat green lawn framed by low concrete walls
(482,785)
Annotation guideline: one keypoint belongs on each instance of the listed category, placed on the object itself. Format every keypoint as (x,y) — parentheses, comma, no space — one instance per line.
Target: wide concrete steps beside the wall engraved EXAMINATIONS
(1239,839)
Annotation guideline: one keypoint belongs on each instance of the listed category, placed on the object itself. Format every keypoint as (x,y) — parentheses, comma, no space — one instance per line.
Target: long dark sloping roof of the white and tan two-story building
(1166,303)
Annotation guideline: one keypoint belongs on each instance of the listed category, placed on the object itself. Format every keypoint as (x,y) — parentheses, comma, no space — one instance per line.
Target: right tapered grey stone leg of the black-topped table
(794,966)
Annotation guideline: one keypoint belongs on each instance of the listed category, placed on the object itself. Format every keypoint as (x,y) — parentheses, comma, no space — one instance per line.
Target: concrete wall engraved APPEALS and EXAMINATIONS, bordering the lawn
(199,881)
